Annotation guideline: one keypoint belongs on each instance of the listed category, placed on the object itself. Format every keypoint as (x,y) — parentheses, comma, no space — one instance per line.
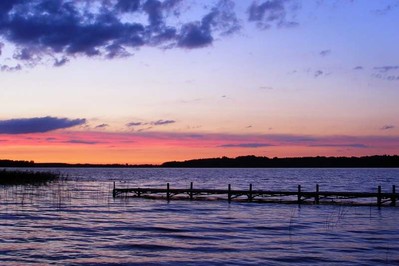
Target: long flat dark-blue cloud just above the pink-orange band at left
(37,124)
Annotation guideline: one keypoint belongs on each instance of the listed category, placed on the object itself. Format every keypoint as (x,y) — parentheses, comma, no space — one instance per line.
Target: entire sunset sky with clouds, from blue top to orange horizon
(149,81)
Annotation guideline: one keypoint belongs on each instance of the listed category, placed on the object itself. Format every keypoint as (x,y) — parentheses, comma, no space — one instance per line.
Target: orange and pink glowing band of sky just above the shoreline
(159,147)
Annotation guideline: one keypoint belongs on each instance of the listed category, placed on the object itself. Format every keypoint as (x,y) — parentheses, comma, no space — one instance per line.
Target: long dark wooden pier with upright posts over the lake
(299,196)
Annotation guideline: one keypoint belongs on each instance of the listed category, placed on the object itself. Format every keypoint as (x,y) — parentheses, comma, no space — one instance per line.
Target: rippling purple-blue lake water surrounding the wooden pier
(79,223)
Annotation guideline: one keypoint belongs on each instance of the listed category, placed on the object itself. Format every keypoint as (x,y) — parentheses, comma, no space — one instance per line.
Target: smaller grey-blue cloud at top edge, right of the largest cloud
(270,12)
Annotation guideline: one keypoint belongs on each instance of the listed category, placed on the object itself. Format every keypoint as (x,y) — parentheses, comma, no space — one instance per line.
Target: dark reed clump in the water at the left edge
(17,177)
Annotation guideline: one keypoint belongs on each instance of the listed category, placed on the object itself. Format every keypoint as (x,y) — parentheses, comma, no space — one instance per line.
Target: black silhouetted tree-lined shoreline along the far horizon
(250,161)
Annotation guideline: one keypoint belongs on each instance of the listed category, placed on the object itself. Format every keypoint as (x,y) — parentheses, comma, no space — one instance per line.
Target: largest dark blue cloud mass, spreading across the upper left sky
(42,29)
